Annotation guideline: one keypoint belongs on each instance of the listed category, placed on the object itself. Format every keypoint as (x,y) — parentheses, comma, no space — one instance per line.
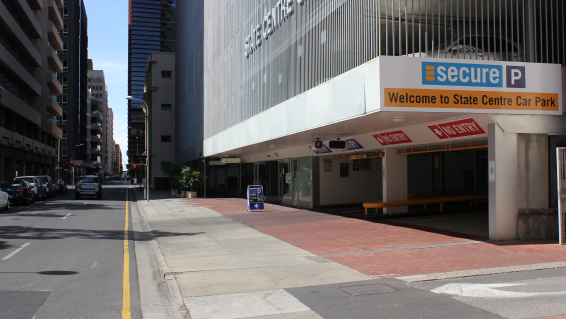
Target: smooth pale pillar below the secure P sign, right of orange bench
(503,195)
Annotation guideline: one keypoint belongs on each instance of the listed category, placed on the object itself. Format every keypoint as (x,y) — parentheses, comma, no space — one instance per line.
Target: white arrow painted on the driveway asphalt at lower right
(488,291)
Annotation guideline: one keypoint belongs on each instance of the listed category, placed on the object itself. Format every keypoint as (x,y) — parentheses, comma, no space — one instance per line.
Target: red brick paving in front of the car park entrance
(324,234)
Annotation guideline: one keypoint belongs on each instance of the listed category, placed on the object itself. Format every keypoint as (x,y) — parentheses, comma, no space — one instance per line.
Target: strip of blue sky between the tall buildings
(108,49)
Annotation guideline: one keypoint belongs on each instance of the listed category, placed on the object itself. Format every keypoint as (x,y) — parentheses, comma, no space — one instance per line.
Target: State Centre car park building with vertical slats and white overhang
(345,102)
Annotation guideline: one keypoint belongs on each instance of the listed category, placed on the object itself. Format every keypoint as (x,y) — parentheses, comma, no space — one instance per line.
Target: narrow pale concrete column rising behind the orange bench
(395,181)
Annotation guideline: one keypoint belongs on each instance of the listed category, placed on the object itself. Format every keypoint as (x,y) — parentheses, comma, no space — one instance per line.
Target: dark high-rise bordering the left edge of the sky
(73,100)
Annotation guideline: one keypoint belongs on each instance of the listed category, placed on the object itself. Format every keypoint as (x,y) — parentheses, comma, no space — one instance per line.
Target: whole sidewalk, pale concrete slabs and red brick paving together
(231,263)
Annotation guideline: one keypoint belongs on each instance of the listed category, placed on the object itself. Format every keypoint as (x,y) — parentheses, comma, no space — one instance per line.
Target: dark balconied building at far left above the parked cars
(29,39)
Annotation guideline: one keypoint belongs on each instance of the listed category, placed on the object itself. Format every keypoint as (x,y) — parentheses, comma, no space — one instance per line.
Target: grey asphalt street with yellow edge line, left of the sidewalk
(64,258)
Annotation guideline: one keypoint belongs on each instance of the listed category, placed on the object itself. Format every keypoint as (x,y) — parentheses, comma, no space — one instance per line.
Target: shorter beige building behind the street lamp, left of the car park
(160,98)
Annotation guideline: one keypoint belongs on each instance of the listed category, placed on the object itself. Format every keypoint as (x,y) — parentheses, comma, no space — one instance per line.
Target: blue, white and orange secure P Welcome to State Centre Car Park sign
(472,86)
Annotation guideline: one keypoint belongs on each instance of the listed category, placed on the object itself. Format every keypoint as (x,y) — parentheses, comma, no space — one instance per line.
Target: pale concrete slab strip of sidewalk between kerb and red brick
(226,269)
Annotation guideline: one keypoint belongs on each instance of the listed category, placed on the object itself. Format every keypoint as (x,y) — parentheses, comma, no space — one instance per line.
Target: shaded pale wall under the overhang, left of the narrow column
(361,186)
